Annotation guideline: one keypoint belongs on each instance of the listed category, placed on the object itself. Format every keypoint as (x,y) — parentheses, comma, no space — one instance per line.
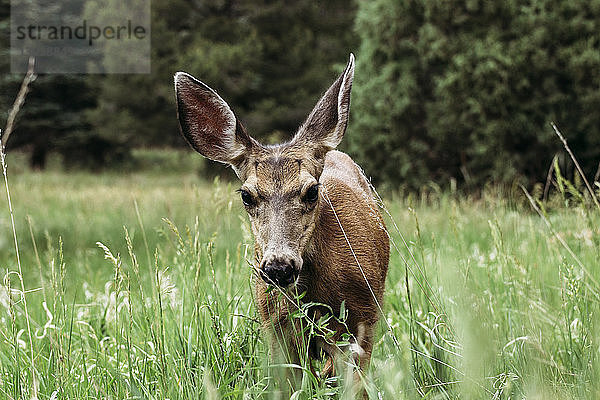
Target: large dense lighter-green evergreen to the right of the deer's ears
(466,90)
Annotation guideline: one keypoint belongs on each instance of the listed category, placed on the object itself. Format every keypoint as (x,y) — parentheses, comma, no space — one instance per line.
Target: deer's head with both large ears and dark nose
(280,184)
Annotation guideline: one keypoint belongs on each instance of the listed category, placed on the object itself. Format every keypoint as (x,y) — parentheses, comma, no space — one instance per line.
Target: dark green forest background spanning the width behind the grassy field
(445,91)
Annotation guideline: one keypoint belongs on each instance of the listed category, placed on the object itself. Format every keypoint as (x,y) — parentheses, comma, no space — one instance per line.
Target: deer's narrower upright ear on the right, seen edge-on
(326,124)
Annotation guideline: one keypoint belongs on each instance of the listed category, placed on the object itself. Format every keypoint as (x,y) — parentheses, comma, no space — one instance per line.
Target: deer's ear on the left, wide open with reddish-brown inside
(208,124)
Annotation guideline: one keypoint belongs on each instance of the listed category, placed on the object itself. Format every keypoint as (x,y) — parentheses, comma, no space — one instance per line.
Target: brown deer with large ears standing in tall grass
(315,221)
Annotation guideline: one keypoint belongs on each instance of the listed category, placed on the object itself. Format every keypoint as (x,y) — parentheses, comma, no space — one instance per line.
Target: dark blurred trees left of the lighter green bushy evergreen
(270,60)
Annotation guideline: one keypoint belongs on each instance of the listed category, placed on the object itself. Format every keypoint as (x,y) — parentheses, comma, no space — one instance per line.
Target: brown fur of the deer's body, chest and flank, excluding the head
(330,273)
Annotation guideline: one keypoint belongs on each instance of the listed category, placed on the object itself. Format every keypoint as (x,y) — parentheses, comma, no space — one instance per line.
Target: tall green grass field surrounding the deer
(137,285)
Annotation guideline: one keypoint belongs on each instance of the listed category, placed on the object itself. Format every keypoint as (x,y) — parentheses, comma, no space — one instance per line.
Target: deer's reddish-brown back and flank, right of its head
(350,250)
